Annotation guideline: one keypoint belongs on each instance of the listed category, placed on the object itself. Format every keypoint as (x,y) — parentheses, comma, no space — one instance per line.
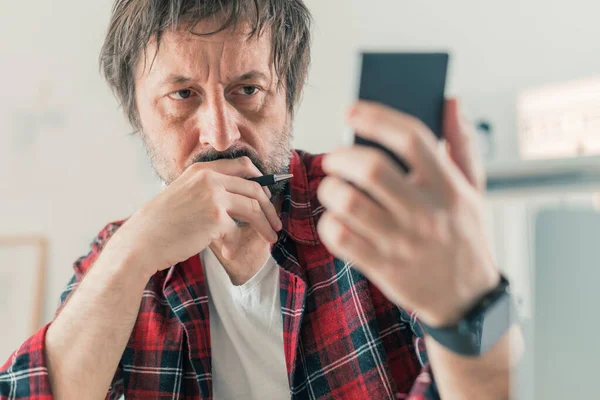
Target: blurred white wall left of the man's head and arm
(78,169)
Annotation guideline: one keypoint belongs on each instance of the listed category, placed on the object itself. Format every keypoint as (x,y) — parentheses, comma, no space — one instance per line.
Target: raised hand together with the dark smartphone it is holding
(407,236)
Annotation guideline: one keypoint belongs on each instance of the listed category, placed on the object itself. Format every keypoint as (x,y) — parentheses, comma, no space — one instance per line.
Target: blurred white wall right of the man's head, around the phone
(498,48)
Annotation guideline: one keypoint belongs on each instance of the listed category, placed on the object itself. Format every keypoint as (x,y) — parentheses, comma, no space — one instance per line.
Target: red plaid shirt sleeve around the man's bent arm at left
(25,373)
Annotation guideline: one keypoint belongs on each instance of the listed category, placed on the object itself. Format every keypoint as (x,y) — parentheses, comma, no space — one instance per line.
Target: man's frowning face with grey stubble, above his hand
(211,97)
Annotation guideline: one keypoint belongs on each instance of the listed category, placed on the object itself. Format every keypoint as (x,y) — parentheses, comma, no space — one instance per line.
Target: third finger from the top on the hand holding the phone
(354,208)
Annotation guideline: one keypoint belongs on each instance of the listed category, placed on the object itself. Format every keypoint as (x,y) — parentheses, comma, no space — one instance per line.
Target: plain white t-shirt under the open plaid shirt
(246,332)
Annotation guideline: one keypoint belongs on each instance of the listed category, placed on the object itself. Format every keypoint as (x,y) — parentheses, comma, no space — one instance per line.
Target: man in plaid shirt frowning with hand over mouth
(218,288)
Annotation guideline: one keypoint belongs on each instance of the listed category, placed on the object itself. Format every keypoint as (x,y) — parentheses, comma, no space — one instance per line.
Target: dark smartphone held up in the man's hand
(413,83)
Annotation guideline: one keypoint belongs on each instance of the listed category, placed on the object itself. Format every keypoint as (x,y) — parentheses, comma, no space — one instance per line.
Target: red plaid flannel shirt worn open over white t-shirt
(342,338)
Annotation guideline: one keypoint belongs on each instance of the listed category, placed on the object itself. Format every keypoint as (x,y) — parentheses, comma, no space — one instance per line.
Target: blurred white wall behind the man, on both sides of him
(78,169)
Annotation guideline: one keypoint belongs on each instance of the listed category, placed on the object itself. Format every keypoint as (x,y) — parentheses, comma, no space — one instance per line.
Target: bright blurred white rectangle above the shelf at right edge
(560,120)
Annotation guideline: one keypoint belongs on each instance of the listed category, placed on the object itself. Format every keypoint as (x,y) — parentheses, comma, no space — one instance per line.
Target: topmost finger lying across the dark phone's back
(404,135)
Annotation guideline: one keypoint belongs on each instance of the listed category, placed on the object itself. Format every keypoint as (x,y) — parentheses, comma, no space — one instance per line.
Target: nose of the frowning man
(217,125)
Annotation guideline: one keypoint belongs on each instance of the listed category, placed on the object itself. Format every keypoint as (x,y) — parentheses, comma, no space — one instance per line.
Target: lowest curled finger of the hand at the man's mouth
(248,210)
